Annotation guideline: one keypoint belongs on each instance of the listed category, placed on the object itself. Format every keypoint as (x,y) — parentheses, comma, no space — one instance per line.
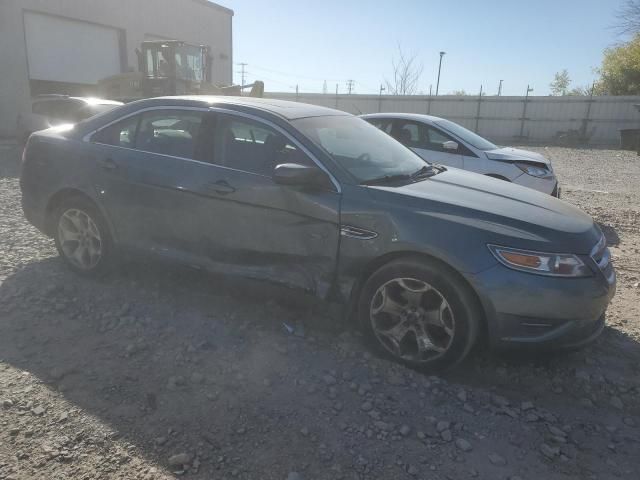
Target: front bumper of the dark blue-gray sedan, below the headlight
(528,309)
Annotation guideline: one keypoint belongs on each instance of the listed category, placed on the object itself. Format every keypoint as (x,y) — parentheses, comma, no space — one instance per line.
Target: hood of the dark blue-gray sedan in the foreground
(509,215)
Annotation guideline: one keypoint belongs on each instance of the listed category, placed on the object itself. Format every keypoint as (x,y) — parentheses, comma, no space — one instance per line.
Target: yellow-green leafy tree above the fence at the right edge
(620,70)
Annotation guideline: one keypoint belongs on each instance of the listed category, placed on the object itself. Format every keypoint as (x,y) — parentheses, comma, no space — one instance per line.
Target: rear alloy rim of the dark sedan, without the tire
(80,239)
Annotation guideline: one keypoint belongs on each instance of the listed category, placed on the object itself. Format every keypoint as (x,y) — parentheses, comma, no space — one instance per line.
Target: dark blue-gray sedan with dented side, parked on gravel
(426,258)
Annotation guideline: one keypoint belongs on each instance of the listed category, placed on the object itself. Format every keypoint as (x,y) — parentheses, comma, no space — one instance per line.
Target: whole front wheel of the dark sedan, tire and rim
(414,299)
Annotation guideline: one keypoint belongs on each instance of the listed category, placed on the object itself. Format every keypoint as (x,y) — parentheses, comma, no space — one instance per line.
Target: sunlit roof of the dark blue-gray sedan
(283,108)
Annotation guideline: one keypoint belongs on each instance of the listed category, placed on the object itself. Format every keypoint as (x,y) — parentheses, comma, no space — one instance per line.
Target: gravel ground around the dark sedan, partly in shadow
(156,372)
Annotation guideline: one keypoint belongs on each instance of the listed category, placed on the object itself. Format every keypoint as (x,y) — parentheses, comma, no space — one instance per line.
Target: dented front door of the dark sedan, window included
(258,228)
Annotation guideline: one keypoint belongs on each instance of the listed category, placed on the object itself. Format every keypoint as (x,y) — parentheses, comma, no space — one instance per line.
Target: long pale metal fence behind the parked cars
(591,120)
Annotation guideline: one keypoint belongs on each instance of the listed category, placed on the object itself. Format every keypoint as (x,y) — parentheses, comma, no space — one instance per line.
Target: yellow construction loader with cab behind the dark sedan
(170,67)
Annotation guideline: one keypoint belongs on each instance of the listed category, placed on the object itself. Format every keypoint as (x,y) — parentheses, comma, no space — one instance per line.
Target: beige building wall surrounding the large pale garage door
(194,21)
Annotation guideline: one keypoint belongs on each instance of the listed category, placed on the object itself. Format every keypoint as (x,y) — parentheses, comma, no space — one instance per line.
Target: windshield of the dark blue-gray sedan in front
(360,148)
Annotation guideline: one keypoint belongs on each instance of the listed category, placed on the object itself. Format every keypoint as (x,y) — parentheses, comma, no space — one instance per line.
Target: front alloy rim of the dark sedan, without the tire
(412,320)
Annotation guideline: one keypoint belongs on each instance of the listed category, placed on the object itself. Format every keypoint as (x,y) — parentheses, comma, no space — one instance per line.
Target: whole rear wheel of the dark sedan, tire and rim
(82,237)
